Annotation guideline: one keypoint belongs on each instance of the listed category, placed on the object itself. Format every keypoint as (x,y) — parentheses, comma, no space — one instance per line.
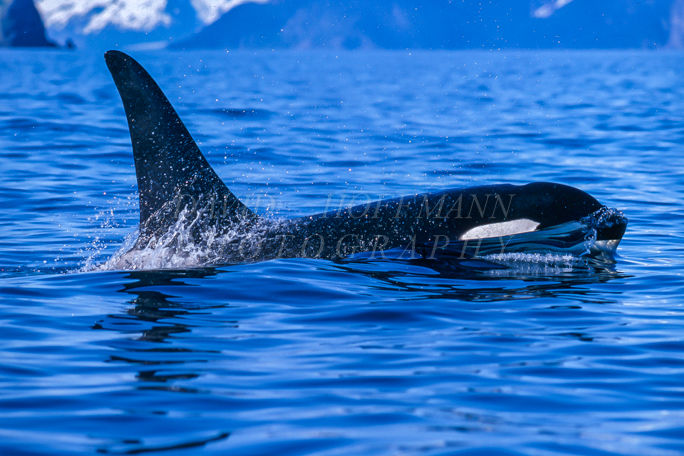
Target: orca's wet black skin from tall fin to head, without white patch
(173,174)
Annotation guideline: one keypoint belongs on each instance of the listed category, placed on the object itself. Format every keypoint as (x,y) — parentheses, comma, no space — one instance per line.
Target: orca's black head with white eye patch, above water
(545,216)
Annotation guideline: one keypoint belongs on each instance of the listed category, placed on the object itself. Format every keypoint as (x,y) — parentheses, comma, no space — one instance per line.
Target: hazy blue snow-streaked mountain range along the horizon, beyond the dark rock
(365,23)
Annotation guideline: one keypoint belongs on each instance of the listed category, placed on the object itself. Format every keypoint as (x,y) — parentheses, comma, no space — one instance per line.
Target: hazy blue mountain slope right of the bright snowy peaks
(439,24)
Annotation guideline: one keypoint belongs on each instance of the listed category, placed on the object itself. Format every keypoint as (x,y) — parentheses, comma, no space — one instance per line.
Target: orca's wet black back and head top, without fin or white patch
(424,221)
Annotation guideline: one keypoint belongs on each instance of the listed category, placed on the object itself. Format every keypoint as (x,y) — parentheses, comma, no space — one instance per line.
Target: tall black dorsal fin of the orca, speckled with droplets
(168,163)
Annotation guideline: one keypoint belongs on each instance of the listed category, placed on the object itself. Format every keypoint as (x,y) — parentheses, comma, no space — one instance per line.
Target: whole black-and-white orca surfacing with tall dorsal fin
(187,210)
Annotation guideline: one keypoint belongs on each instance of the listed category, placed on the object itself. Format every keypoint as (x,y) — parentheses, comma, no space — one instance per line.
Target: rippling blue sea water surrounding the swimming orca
(312,357)
